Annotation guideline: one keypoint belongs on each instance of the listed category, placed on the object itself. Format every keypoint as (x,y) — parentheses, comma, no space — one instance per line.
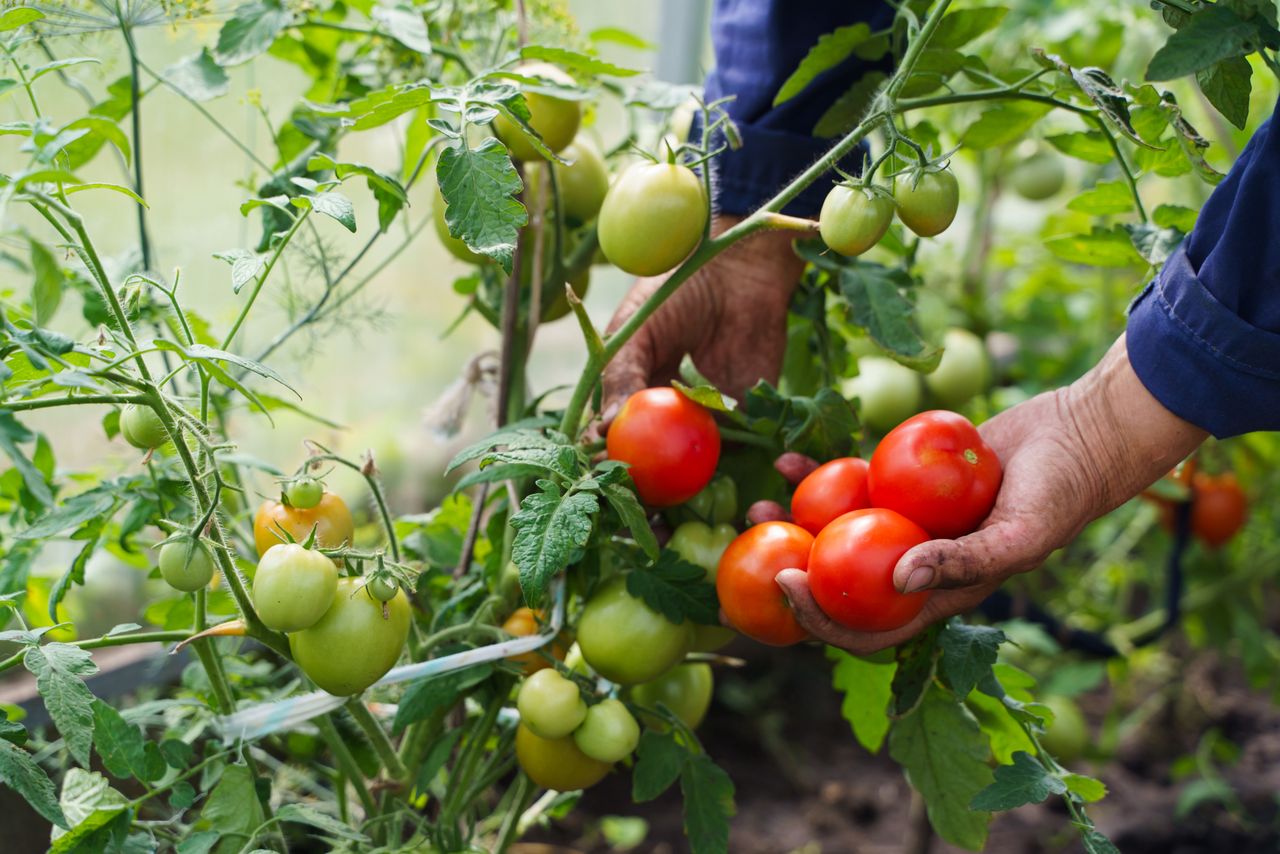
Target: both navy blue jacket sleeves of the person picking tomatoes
(1204,337)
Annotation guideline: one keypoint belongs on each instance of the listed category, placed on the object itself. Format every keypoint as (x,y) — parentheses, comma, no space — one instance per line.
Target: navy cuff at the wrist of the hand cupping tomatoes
(1200,359)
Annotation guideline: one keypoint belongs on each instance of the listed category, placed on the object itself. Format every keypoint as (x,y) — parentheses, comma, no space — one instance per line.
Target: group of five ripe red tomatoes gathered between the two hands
(931,477)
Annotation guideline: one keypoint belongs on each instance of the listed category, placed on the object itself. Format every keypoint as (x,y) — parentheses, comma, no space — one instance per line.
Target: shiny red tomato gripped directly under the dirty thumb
(852,570)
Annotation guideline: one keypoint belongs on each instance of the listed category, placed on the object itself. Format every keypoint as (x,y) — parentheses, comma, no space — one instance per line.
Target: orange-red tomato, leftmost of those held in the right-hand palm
(746,582)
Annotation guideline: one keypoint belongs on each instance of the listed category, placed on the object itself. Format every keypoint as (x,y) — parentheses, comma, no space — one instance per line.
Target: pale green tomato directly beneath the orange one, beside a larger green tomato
(294,587)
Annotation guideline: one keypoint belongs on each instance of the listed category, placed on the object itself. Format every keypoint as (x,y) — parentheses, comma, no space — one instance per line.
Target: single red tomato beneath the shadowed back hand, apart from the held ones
(670,442)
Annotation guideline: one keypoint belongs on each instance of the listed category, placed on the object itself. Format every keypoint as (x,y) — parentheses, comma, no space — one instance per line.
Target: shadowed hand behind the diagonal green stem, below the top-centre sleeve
(732,317)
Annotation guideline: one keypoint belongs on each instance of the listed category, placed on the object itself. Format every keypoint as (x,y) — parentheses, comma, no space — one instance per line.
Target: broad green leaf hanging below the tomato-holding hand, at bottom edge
(944,755)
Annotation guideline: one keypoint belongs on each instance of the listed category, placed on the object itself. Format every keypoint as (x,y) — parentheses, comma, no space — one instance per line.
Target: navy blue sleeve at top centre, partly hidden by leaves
(758,44)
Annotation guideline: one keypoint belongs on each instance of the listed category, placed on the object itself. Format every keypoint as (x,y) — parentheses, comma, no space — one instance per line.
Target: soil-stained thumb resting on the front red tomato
(989,555)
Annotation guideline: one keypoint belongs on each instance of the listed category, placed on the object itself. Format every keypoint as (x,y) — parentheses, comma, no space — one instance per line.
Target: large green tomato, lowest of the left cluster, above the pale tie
(355,643)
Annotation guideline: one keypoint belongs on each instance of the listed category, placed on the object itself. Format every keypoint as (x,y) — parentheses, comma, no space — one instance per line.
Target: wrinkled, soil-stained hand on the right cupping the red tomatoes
(1069,456)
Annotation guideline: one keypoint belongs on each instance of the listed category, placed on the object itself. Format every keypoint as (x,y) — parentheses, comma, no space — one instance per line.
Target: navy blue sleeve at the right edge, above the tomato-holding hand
(1205,336)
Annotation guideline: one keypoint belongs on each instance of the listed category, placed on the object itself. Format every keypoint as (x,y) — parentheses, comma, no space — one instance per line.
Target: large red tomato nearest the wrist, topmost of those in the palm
(938,472)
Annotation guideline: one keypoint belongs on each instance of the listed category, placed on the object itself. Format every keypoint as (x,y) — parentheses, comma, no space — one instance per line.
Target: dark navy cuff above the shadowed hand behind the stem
(769,161)
